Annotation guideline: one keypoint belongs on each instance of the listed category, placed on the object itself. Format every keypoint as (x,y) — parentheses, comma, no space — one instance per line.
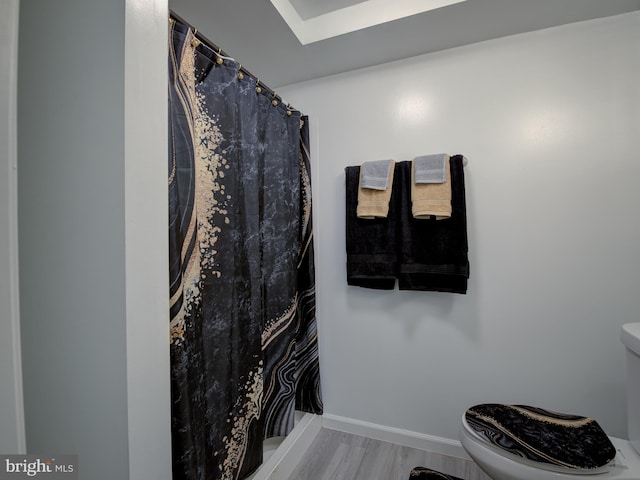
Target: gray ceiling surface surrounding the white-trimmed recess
(255,34)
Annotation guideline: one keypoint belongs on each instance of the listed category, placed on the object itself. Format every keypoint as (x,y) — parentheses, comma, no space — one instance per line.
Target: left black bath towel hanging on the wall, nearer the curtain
(372,253)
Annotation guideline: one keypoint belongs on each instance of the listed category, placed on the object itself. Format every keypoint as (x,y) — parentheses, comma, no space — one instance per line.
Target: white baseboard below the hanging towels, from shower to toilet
(407,438)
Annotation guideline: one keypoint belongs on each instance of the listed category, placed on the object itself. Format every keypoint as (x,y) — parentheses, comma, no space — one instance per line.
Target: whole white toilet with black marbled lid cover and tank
(488,436)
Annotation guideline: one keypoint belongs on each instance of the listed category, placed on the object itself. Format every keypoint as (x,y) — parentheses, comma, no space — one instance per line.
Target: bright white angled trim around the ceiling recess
(352,18)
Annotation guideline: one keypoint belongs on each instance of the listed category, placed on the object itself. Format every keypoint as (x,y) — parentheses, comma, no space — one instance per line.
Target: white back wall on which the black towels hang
(550,122)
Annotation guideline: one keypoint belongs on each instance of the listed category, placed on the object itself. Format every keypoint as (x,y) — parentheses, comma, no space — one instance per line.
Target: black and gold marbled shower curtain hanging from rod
(243,334)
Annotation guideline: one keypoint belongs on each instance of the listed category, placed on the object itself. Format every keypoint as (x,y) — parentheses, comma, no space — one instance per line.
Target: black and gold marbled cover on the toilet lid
(551,438)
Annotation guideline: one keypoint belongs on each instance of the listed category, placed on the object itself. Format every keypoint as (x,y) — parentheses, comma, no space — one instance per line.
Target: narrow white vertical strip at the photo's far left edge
(11,406)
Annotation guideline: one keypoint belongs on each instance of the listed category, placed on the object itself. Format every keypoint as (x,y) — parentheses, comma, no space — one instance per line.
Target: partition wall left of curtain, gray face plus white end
(92,137)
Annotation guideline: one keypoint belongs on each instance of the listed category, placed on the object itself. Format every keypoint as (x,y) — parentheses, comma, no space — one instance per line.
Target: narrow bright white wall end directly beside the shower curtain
(146,239)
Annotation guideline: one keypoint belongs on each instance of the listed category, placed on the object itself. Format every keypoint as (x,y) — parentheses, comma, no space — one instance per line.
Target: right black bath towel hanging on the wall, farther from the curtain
(433,253)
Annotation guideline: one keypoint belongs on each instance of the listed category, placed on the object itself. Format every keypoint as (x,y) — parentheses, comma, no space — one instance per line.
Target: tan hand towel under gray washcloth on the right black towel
(431,199)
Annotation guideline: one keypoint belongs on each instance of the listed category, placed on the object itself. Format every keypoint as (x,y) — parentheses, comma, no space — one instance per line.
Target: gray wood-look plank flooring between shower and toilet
(336,455)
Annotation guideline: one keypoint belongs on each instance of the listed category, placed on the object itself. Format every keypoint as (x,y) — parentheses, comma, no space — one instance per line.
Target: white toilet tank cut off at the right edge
(630,337)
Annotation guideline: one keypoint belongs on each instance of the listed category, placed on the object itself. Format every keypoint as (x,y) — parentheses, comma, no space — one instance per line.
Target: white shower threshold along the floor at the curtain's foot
(285,458)
